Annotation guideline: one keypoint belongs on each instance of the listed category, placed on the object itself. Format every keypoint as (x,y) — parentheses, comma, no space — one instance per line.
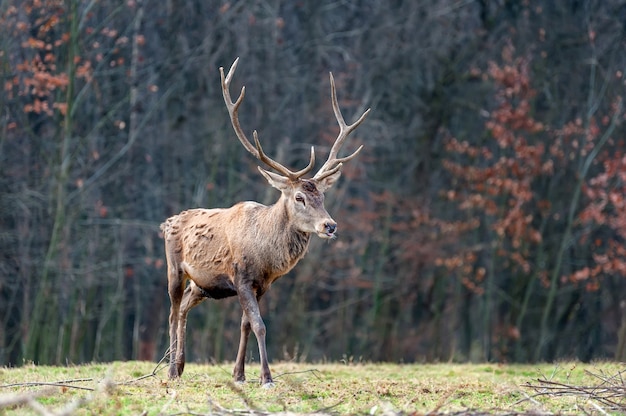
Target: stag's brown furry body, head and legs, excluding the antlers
(239,251)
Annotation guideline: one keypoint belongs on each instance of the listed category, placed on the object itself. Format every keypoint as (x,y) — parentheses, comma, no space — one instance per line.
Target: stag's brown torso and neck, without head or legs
(202,245)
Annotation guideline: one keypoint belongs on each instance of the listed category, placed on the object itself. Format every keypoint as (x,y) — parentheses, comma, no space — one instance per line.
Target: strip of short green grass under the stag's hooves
(135,388)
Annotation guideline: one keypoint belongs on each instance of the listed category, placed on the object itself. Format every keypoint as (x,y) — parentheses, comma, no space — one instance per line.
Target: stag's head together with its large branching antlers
(303,198)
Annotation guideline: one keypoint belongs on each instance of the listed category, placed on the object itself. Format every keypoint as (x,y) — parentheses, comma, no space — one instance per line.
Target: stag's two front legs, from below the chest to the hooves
(252,320)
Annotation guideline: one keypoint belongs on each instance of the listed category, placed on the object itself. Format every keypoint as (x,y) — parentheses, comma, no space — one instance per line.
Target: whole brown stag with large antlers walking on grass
(240,251)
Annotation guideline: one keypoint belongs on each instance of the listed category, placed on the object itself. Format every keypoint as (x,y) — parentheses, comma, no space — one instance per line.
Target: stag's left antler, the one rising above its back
(233,109)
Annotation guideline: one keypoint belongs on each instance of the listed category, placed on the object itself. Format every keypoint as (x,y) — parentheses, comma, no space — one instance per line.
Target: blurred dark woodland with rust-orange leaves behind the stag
(485,218)
